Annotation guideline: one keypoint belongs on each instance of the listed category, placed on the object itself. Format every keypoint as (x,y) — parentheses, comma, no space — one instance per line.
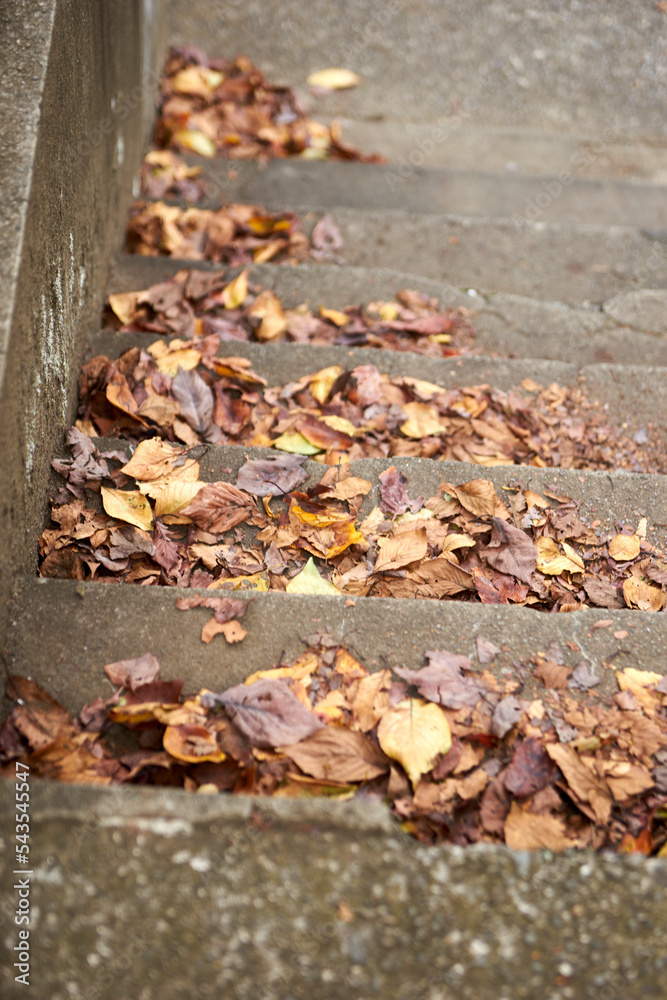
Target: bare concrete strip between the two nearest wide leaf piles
(55,636)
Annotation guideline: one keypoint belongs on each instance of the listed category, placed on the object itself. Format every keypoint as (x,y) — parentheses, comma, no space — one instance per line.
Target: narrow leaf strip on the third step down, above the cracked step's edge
(201,303)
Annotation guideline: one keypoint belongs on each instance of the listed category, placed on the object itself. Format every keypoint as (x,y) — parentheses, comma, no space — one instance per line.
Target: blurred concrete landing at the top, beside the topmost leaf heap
(550,68)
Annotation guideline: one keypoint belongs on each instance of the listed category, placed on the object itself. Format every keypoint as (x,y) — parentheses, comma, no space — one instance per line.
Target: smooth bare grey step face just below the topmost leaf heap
(400,186)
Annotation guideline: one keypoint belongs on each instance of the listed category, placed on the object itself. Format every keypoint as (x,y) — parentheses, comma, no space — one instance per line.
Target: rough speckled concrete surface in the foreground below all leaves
(269,900)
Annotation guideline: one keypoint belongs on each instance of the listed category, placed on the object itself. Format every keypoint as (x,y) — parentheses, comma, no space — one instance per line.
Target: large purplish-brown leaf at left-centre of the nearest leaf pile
(266,712)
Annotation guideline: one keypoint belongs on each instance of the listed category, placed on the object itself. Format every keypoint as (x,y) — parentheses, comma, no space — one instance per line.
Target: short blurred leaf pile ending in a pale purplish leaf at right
(234,234)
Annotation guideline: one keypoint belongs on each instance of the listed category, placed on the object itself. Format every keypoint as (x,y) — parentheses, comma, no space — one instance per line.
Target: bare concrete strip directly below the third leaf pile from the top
(634,395)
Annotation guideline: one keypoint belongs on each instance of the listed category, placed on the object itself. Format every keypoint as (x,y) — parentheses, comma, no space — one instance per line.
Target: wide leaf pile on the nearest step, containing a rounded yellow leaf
(461,755)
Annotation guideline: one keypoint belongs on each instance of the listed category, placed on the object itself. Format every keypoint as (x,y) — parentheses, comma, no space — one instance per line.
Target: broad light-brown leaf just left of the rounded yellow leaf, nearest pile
(339,755)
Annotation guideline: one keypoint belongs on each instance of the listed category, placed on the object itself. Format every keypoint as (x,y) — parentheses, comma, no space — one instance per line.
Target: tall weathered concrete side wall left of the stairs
(78,89)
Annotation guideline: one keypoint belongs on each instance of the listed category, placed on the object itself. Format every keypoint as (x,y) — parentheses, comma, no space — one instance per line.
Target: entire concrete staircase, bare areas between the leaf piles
(243,898)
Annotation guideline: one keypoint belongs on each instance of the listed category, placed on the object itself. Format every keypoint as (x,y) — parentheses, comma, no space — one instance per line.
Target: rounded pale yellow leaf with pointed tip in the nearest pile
(414,732)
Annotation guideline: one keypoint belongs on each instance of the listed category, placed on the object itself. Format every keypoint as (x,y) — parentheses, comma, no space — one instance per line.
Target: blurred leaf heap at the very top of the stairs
(221,107)
